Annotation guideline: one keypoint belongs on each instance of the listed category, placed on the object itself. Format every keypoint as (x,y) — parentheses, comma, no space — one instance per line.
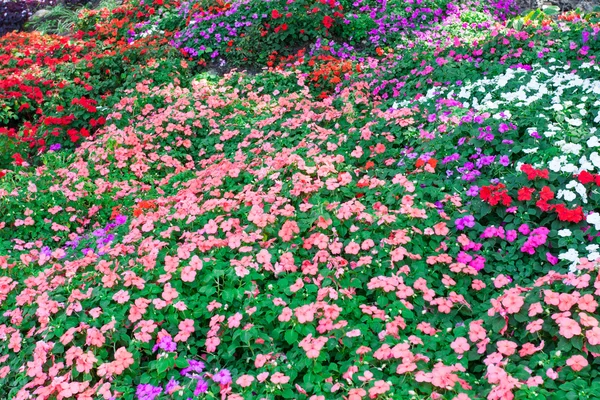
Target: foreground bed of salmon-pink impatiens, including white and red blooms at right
(229,241)
